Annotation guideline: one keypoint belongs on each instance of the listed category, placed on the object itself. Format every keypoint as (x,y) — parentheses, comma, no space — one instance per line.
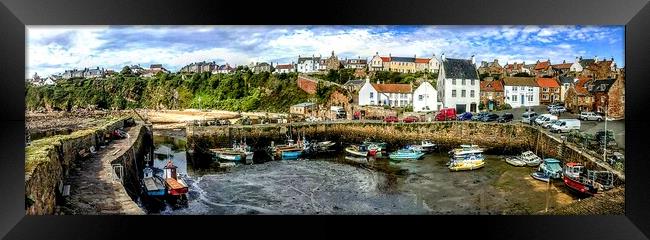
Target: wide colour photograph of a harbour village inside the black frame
(325,120)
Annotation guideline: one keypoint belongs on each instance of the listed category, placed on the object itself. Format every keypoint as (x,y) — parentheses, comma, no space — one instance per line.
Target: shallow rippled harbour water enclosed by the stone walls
(331,184)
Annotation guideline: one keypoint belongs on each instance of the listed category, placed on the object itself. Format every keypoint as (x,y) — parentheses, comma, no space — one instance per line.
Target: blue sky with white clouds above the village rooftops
(53,49)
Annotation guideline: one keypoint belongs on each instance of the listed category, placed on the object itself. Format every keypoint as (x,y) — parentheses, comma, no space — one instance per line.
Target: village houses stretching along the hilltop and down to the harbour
(594,84)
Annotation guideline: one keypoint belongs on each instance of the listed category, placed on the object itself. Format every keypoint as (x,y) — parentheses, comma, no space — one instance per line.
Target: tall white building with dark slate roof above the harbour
(458,84)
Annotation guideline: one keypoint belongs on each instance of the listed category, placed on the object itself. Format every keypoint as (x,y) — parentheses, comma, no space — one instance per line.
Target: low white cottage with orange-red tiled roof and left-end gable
(394,95)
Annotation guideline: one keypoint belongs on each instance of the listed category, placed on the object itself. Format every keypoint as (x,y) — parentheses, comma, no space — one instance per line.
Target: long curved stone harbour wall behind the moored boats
(496,137)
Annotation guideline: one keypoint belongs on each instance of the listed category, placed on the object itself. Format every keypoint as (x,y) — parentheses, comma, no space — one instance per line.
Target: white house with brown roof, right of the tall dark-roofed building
(521,91)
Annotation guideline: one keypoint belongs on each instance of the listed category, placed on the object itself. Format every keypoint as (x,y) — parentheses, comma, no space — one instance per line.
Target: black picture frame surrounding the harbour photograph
(15,14)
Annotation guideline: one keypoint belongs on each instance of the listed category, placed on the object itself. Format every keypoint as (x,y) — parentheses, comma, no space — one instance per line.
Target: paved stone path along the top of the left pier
(92,189)
